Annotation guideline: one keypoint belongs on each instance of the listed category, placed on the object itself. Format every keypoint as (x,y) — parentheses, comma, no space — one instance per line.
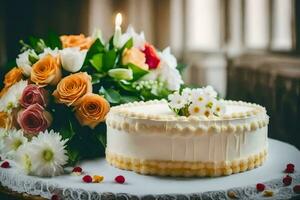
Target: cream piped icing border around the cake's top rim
(121,118)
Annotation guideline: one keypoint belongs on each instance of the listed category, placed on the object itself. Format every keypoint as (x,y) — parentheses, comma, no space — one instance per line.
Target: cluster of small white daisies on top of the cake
(202,102)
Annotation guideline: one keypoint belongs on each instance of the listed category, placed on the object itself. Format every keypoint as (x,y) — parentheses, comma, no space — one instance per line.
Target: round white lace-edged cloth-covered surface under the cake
(241,186)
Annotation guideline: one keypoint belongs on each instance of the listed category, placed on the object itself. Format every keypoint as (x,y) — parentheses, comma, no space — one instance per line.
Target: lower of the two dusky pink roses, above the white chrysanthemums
(34,119)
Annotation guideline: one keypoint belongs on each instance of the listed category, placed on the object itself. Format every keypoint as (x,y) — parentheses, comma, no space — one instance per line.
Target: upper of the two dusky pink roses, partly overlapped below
(33,94)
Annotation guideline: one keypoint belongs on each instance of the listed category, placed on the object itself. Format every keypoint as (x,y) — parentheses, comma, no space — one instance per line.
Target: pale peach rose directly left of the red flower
(134,56)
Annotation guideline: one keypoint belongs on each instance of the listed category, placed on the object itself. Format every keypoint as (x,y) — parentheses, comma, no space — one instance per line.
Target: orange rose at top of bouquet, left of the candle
(76,41)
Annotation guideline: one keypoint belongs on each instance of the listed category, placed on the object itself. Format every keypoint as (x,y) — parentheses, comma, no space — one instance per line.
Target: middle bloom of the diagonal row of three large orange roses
(71,88)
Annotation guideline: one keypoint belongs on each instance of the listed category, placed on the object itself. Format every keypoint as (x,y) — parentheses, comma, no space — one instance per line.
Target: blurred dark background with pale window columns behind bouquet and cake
(247,49)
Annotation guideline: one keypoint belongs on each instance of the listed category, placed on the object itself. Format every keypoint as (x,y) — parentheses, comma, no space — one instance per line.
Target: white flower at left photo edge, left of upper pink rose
(11,98)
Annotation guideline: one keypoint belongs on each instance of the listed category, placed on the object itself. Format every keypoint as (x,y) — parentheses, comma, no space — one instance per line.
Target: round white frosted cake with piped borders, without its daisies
(149,138)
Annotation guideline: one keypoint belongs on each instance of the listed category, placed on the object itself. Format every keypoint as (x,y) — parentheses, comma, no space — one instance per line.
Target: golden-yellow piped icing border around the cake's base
(177,168)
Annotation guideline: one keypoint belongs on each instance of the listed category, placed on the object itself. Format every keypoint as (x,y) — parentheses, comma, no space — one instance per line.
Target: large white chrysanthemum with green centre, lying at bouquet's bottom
(47,154)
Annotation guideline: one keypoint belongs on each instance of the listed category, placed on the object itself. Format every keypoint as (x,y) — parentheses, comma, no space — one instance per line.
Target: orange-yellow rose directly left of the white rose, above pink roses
(46,71)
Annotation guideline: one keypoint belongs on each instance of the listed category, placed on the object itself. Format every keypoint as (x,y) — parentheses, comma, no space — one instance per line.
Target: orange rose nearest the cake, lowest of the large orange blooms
(91,110)
